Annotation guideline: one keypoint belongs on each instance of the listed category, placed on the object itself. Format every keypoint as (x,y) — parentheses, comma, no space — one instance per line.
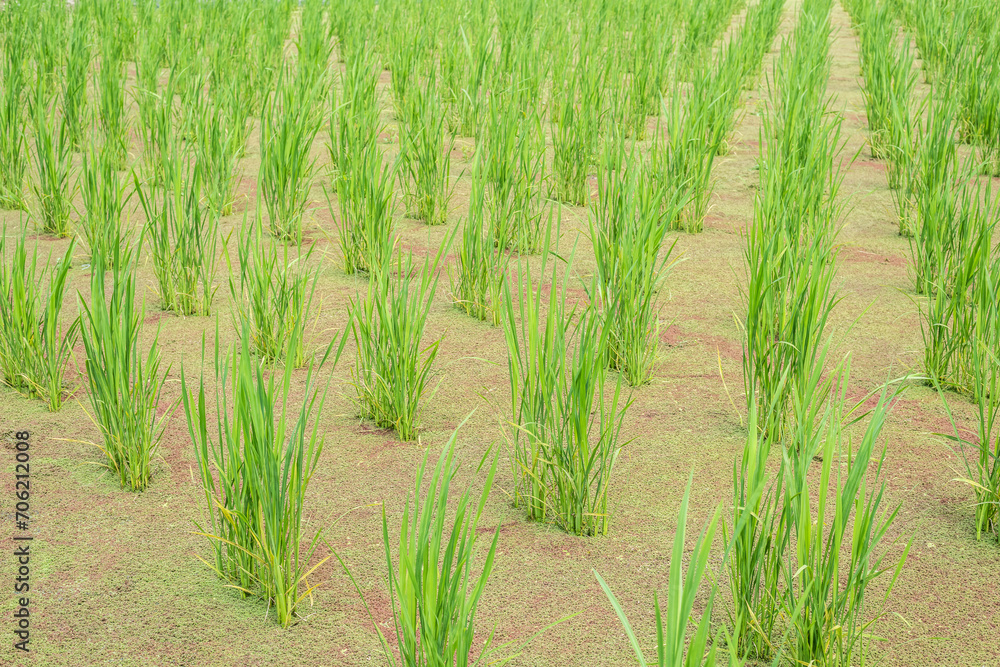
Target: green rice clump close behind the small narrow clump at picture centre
(515,175)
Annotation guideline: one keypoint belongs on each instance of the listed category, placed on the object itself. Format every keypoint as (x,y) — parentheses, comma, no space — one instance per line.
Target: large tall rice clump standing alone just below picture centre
(567,421)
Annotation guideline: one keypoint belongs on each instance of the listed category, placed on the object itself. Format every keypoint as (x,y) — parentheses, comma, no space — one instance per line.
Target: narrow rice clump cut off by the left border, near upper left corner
(13,156)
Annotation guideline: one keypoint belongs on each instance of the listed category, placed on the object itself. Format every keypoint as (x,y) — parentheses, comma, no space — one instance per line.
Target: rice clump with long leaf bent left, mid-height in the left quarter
(183,238)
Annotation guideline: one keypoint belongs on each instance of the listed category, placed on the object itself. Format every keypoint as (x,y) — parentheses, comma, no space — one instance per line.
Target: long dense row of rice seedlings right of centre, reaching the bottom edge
(798,571)
